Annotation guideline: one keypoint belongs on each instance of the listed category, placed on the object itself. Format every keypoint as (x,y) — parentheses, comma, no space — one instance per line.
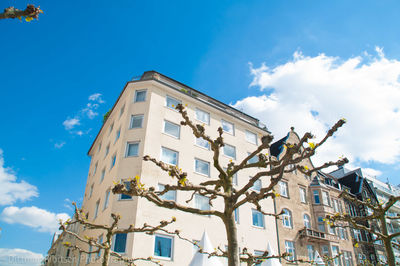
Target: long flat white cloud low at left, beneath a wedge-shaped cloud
(40,219)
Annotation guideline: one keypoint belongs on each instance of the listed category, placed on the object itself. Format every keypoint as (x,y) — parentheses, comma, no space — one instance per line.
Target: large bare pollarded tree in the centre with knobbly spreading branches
(221,186)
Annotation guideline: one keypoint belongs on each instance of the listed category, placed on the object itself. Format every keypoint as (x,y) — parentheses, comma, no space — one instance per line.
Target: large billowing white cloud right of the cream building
(312,93)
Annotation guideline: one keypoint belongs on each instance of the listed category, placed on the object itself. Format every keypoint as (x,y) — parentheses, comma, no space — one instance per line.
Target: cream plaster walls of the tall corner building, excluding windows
(151,139)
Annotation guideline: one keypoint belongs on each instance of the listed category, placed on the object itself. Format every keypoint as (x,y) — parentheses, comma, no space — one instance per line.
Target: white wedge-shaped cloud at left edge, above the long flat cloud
(11,190)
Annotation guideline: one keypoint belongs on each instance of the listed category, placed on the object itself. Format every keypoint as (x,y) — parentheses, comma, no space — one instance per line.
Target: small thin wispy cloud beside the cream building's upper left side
(87,112)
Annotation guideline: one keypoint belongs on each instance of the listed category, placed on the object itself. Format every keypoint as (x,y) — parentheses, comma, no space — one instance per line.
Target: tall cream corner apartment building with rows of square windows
(143,121)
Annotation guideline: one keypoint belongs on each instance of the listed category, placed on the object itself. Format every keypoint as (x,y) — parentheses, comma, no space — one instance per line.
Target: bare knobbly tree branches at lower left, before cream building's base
(110,231)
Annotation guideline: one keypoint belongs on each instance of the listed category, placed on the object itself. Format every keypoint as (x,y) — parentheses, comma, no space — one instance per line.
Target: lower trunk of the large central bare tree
(231,234)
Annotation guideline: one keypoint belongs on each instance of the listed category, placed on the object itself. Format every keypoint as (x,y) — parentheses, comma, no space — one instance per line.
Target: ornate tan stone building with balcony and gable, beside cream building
(305,201)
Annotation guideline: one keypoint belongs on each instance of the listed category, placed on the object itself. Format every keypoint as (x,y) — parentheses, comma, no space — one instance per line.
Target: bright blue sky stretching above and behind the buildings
(76,49)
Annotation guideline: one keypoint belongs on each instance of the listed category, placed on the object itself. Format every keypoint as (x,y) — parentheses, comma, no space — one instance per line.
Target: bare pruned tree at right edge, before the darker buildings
(374,222)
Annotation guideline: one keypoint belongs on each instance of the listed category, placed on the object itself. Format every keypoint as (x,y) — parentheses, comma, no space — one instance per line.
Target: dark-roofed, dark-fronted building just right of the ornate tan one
(369,249)
